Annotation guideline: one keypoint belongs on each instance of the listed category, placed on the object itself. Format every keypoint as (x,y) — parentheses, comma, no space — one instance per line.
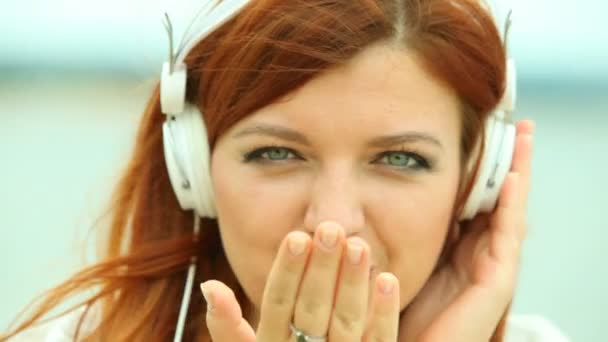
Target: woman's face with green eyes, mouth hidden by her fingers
(373,145)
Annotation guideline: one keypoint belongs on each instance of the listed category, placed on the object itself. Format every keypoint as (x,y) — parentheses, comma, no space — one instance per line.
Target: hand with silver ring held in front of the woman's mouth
(323,289)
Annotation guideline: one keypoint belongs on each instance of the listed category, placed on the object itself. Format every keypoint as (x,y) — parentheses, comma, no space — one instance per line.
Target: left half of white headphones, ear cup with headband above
(184,133)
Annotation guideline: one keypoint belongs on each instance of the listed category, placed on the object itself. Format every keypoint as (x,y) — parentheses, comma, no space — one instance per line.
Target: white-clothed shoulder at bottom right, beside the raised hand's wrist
(533,328)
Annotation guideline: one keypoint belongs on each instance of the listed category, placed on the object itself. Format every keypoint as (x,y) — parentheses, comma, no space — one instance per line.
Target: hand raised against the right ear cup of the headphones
(465,299)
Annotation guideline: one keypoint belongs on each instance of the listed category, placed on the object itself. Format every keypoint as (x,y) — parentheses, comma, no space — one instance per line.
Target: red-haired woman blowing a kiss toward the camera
(340,134)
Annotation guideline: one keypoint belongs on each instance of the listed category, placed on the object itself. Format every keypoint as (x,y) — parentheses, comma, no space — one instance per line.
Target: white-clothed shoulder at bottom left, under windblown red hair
(61,329)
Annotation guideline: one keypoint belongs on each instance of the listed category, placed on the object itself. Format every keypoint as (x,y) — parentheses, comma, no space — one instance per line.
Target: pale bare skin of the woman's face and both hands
(369,154)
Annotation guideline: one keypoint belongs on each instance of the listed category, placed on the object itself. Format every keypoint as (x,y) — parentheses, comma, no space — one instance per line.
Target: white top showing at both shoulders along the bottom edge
(520,328)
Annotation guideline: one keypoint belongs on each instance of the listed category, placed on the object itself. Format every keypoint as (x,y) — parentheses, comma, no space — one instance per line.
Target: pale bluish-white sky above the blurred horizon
(550,39)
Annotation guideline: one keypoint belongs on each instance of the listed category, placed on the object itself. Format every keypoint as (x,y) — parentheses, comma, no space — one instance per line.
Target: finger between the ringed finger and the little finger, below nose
(350,310)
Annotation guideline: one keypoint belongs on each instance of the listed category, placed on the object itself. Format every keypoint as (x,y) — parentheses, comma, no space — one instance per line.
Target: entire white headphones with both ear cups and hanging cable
(187,152)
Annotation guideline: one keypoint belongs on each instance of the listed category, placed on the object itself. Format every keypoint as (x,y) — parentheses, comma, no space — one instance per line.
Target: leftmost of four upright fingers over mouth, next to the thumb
(280,292)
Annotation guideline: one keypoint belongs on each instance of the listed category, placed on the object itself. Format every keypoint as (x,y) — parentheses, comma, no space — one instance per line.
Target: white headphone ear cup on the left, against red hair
(187,156)
